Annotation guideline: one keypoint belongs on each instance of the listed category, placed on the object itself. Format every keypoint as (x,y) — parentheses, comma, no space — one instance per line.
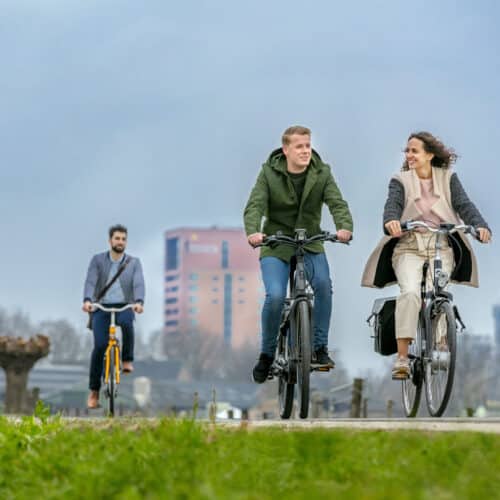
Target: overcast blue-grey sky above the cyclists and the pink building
(159,114)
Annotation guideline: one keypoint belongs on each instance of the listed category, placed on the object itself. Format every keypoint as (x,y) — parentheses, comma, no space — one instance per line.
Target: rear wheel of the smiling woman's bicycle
(412,387)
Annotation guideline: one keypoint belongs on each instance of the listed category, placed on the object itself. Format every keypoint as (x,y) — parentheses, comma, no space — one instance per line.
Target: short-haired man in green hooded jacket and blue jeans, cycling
(289,192)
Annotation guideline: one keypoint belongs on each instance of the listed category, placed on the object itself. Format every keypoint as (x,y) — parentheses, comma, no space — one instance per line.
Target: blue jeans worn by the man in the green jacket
(275,273)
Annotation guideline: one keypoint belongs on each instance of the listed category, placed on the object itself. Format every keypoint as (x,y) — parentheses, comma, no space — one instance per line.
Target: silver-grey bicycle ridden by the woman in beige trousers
(433,352)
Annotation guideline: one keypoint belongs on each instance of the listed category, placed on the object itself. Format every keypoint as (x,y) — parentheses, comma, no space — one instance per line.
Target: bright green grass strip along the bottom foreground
(132,459)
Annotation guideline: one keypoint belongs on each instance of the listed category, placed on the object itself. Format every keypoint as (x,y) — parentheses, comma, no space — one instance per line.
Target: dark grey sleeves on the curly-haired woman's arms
(461,203)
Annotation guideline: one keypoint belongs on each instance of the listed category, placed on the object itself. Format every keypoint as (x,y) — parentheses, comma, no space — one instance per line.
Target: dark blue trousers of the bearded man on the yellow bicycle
(100,329)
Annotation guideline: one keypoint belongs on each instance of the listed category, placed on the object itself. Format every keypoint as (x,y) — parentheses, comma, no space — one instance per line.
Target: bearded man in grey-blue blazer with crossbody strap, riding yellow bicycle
(127,289)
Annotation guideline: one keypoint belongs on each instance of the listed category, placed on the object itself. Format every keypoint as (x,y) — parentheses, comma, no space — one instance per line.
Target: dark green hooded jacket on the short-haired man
(274,198)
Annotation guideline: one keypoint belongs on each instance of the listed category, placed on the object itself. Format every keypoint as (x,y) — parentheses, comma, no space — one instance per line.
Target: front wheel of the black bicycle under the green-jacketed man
(303,346)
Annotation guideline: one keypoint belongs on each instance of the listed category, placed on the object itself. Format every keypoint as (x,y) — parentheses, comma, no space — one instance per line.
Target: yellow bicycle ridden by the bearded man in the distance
(112,357)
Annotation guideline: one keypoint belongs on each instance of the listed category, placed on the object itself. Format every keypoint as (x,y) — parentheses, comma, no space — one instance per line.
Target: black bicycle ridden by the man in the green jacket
(292,364)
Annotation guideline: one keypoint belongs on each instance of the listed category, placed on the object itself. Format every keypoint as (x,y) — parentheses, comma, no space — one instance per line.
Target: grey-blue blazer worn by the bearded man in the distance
(131,279)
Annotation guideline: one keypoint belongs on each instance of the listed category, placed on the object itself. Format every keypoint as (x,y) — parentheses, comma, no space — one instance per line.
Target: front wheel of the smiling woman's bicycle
(440,360)
